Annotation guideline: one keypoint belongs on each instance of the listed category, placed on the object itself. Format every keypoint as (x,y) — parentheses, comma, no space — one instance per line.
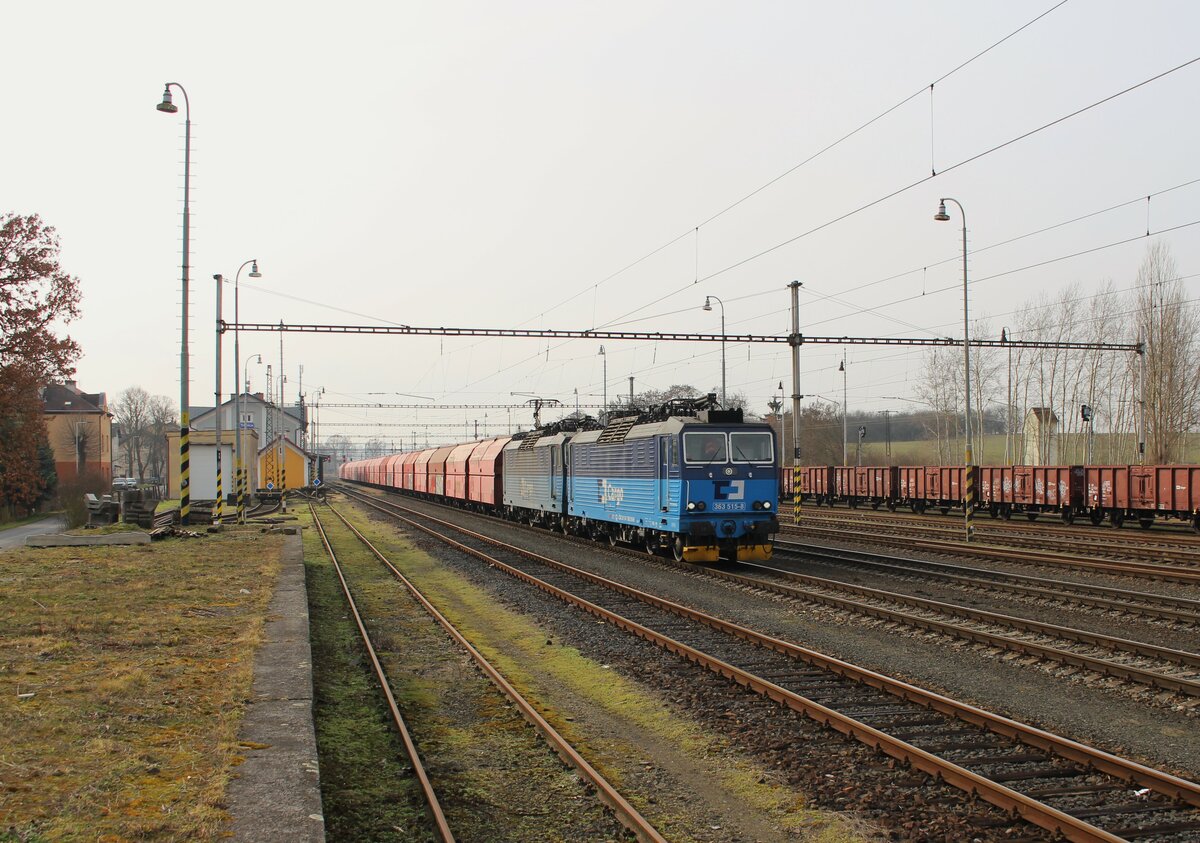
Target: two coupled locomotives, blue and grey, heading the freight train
(686,477)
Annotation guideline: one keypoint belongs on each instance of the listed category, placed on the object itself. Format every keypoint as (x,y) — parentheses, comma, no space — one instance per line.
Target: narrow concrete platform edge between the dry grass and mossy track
(275,796)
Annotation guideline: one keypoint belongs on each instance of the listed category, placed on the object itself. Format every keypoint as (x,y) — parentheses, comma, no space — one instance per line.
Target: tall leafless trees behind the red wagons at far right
(1156,312)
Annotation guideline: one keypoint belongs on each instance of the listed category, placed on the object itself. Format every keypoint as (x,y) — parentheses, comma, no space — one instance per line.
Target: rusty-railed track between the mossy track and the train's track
(1059,785)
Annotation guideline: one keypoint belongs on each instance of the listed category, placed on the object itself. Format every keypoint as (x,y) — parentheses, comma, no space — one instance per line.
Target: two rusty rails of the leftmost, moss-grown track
(622,810)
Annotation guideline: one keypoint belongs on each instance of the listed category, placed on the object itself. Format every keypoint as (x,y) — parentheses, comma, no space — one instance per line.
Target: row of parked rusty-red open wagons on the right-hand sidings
(1117,494)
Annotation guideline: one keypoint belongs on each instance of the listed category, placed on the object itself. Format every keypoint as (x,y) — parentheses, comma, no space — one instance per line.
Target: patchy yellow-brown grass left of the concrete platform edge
(123,678)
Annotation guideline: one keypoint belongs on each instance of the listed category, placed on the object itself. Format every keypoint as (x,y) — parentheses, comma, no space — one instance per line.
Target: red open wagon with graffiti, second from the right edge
(1033,491)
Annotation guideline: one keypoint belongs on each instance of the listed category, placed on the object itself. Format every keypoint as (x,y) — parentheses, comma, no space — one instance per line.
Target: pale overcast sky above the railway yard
(499,164)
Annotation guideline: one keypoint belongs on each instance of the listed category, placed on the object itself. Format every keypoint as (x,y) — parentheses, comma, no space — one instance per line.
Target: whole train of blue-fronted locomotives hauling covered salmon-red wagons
(686,479)
